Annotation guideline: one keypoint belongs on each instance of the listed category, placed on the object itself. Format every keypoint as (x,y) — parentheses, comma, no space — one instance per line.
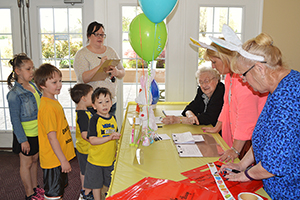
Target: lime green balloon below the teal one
(147,39)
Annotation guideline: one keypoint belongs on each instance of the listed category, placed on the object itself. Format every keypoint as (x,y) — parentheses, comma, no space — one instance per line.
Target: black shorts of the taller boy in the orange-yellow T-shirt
(55,182)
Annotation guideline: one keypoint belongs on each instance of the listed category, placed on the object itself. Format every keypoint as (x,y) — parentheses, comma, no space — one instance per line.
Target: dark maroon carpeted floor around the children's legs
(11,187)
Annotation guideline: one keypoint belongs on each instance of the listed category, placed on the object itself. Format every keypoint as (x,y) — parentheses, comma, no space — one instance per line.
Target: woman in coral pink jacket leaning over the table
(241,109)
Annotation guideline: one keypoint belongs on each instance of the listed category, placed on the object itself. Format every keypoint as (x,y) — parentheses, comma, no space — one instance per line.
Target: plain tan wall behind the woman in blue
(281,21)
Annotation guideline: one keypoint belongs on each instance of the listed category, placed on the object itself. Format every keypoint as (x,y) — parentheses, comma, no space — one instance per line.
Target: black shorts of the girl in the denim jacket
(33,142)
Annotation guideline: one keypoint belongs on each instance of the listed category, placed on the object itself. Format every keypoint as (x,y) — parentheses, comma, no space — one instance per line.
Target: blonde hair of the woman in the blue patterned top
(261,45)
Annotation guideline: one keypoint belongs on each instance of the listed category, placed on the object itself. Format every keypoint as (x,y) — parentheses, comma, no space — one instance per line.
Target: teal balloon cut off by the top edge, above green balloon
(157,10)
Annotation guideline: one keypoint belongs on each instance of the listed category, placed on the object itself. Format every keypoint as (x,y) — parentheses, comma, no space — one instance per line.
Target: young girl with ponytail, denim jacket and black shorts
(23,100)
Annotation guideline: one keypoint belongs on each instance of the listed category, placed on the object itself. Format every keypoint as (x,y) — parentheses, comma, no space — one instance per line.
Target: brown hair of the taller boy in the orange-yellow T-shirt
(43,73)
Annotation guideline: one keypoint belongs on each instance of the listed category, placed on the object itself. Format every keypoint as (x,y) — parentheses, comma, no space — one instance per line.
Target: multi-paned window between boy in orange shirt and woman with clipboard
(61,38)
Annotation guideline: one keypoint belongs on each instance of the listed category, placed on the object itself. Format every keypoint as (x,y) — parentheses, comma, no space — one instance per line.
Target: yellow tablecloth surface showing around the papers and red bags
(160,159)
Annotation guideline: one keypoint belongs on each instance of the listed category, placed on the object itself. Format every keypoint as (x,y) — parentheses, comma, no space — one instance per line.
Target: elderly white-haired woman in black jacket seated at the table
(207,105)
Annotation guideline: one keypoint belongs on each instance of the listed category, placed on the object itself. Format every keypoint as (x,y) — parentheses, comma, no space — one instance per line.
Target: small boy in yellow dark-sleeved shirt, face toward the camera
(102,136)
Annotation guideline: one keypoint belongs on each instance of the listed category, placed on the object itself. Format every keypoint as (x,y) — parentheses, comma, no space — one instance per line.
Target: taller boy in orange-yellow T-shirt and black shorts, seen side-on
(55,141)
